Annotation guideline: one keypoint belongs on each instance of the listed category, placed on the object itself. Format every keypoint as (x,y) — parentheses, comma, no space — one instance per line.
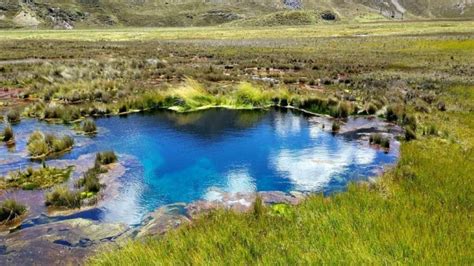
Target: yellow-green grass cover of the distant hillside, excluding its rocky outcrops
(197,13)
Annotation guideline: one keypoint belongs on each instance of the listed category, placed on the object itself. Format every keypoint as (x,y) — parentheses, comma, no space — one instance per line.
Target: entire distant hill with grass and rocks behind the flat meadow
(176,13)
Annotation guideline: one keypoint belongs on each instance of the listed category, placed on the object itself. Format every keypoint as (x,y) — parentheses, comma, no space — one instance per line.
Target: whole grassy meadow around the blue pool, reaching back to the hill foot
(416,74)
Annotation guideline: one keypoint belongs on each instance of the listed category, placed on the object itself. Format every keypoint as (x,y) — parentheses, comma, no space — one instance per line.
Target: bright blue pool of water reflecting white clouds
(187,157)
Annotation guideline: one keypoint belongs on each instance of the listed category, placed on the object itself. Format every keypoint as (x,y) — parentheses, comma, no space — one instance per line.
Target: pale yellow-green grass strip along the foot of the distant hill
(242,33)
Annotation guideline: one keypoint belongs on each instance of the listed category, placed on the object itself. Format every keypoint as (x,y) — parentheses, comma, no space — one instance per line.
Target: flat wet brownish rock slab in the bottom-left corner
(67,242)
